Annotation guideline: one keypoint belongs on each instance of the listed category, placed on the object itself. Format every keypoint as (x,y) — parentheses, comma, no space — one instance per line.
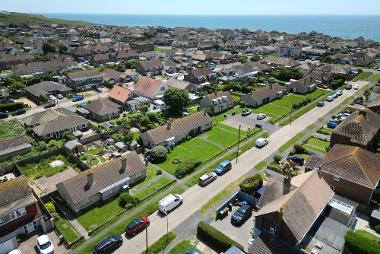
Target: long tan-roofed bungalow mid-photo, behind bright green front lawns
(177,130)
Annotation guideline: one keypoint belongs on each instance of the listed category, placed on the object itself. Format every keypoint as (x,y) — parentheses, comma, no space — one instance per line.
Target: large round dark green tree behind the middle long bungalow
(176,99)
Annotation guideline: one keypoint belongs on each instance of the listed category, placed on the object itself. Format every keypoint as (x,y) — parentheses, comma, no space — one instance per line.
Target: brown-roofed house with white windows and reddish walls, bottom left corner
(20,214)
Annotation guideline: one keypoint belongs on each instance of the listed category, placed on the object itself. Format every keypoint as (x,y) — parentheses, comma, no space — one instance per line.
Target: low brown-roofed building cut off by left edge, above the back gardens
(14,147)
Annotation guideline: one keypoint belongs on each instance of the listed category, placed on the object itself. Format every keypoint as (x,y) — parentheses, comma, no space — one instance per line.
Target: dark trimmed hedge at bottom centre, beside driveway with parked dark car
(216,238)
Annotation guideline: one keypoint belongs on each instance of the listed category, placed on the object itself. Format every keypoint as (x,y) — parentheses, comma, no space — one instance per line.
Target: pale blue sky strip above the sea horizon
(199,7)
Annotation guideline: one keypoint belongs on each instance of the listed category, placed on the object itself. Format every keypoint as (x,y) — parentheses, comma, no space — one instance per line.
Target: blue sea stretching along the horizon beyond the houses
(347,27)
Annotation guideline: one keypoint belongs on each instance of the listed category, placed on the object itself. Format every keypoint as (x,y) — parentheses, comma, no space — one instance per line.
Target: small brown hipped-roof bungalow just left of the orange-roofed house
(103,109)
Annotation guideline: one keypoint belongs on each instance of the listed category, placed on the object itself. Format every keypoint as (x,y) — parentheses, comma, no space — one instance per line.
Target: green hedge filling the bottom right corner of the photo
(362,242)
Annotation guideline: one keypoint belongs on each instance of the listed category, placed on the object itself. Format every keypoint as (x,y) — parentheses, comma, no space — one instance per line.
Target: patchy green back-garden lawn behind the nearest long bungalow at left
(42,168)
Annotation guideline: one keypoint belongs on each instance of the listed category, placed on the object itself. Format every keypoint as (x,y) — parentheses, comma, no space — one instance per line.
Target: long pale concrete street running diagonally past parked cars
(196,196)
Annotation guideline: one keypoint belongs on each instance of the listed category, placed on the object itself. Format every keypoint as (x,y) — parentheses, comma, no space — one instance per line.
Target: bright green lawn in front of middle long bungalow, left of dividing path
(195,149)
